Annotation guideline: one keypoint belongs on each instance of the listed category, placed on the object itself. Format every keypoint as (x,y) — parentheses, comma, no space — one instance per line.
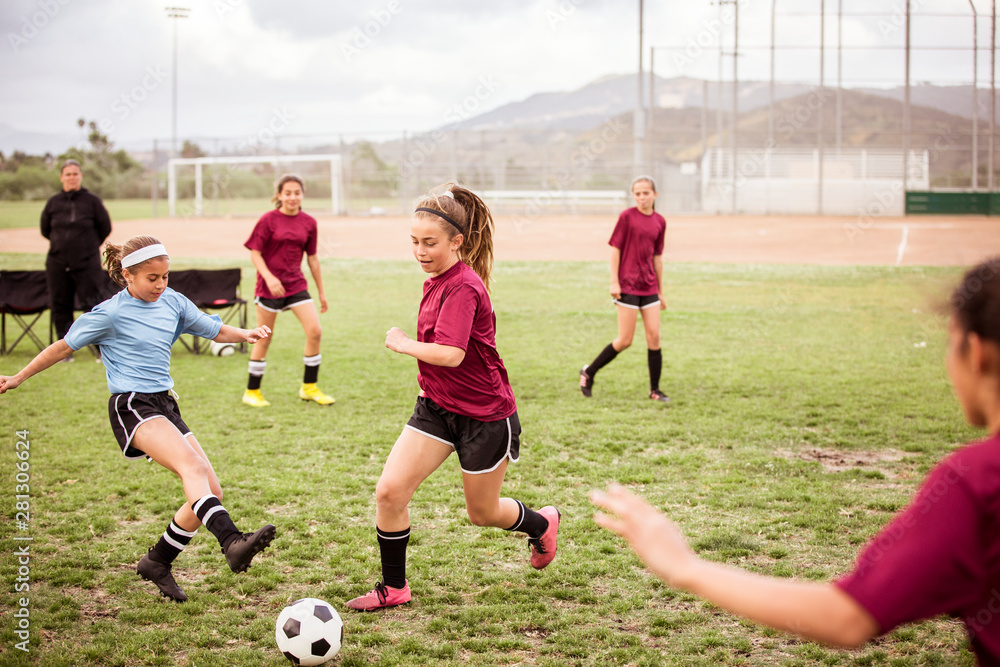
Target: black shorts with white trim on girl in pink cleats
(481,446)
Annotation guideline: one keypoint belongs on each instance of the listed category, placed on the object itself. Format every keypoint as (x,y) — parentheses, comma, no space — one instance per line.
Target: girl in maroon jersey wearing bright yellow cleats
(276,246)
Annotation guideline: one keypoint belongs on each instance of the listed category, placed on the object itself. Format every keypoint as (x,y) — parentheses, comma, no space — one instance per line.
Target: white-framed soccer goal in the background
(241,184)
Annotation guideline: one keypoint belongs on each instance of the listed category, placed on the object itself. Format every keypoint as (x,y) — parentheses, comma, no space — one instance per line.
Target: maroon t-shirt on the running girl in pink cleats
(456,311)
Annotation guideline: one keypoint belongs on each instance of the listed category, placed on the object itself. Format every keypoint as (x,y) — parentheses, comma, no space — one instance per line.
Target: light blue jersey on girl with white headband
(136,337)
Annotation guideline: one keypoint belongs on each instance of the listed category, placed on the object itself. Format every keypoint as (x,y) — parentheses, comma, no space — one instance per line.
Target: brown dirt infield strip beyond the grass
(911,241)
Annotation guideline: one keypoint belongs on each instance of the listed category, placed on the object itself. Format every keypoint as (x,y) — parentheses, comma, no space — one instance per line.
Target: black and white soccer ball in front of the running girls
(309,632)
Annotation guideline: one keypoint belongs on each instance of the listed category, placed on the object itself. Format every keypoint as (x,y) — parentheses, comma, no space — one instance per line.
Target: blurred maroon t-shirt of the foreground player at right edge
(941,555)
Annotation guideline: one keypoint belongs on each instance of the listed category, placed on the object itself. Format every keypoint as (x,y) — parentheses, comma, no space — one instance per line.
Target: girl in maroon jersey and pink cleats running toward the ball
(465,404)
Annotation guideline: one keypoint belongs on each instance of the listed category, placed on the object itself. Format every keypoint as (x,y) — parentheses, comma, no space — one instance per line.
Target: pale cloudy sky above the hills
(321,67)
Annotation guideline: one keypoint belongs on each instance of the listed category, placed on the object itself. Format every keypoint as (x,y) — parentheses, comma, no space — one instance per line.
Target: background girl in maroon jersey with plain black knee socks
(636,284)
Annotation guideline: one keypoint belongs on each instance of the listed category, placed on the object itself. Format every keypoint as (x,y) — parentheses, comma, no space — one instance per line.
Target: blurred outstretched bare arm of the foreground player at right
(820,612)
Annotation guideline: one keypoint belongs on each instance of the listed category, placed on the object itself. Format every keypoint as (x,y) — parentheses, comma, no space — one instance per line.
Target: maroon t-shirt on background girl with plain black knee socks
(639,237)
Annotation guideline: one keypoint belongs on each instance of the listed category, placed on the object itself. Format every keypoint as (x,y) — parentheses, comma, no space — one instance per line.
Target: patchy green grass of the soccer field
(766,365)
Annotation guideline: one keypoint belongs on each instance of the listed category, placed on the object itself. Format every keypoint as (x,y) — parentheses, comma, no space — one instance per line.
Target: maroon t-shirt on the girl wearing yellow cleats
(281,240)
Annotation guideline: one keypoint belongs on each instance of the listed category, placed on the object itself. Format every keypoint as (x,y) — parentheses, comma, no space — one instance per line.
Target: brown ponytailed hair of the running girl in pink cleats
(466,214)
